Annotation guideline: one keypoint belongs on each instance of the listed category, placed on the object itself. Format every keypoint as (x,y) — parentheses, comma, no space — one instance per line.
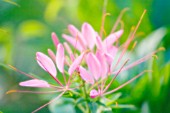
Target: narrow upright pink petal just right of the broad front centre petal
(103,63)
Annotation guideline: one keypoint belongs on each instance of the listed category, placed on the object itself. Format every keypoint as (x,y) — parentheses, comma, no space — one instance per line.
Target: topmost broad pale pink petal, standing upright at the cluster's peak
(89,34)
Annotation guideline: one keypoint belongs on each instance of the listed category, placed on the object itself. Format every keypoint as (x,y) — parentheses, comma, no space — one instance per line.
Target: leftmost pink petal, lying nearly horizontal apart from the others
(35,83)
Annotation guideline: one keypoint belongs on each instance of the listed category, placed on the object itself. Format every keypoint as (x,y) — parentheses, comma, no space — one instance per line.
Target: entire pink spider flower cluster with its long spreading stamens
(85,56)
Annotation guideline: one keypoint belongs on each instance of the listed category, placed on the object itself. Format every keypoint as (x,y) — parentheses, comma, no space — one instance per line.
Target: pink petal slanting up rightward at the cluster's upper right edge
(113,37)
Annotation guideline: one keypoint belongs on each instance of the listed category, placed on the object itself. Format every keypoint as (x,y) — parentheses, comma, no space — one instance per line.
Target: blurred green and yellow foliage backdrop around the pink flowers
(26,26)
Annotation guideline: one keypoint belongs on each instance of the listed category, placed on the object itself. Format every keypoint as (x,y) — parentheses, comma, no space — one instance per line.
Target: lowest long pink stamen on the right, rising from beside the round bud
(131,80)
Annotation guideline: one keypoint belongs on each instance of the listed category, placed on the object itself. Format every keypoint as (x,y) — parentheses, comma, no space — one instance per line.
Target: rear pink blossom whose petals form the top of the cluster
(88,39)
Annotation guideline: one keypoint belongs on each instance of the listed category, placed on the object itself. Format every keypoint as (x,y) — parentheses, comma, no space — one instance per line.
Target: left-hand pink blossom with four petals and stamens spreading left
(47,64)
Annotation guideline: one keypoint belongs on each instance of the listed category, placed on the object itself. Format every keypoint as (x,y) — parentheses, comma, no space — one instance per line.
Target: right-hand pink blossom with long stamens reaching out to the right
(100,63)
